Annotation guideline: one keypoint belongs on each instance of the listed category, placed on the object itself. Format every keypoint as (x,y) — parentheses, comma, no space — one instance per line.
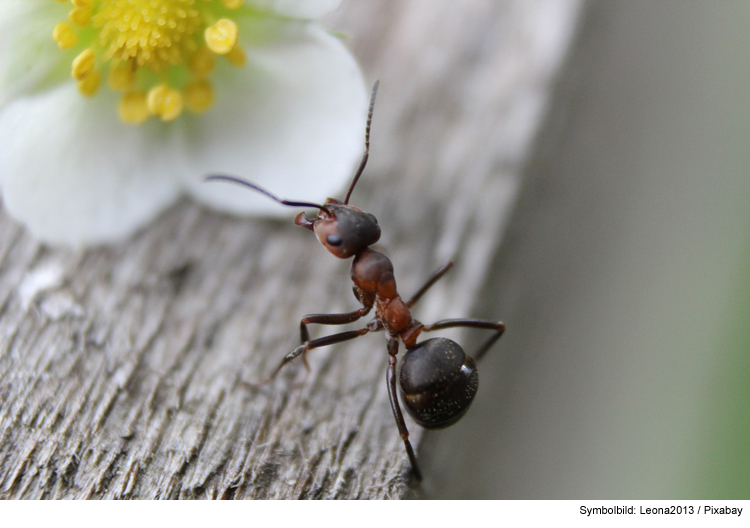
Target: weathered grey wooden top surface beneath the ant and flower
(124,370)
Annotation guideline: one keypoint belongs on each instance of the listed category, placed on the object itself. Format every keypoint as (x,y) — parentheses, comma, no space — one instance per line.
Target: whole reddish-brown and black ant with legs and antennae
(437,380)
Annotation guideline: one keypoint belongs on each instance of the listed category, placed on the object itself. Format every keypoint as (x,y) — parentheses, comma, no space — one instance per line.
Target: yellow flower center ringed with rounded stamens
(158,53)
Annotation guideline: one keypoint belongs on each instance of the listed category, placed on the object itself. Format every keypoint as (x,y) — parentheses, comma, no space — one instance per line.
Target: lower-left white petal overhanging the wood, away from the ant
(74,174)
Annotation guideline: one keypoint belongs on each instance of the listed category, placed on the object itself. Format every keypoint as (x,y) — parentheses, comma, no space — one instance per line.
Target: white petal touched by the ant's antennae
(292,121)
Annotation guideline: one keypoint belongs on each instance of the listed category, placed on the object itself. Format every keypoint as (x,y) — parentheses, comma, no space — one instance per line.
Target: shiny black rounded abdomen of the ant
(438,382)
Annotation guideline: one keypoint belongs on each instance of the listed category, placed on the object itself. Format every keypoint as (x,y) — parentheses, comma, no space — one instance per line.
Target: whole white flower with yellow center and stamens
(110,109)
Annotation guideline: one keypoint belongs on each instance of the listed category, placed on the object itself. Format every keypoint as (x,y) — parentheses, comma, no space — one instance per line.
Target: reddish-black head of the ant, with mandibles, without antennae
(343,229)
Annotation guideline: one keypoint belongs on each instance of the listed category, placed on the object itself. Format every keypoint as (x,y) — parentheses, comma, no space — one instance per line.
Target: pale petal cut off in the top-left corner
(27,51)
